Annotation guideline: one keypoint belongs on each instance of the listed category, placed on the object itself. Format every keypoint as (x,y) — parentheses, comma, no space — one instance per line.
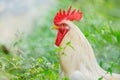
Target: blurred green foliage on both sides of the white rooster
(36,57)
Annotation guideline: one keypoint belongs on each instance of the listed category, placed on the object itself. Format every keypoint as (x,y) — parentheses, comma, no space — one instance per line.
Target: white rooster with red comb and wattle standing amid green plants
(77,59)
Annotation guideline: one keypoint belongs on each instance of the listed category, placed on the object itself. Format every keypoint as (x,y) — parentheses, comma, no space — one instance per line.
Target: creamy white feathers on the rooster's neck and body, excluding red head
(78,61)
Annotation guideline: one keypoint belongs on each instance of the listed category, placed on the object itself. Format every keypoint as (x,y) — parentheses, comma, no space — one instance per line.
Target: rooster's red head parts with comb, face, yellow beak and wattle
(62,27)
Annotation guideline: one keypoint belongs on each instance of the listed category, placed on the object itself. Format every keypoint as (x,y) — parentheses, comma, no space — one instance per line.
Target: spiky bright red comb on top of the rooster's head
(63,15)
